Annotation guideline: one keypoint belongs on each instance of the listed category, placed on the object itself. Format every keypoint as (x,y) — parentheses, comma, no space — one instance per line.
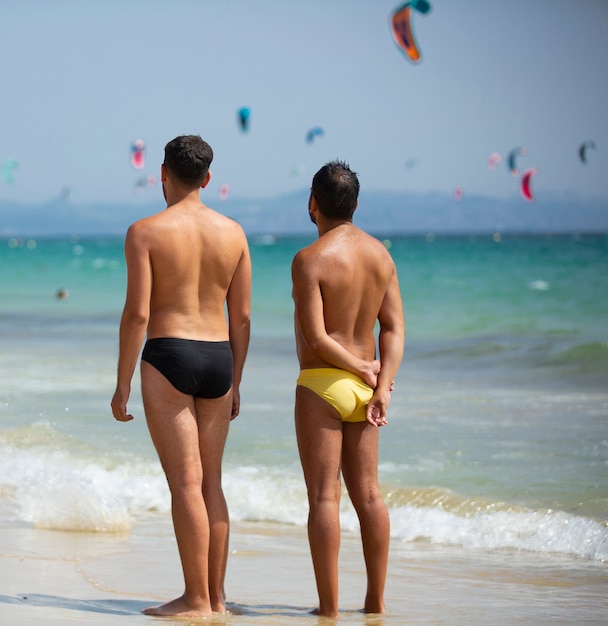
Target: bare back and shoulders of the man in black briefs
(193,255)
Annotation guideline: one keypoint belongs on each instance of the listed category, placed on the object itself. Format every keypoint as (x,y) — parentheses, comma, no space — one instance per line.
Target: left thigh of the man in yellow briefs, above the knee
(319,436)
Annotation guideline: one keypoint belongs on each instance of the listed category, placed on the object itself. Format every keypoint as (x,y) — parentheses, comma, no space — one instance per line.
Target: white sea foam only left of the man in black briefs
(54,484)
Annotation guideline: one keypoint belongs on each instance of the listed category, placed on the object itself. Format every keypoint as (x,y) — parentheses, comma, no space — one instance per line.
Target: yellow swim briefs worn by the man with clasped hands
(346,392)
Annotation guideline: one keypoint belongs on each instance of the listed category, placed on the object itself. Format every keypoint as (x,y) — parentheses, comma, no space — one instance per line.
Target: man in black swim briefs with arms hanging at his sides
(186,267)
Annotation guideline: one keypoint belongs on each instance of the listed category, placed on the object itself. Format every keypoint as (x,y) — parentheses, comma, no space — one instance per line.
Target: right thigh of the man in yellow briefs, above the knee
(360,459)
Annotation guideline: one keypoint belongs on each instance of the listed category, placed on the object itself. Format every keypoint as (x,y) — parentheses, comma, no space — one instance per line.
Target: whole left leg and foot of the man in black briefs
(172,424)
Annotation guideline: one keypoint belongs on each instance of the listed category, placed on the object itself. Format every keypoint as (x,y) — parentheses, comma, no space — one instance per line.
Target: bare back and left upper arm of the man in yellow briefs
(347,273)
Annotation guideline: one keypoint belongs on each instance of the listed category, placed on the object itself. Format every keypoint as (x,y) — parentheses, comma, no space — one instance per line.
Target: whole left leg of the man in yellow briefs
(319,435)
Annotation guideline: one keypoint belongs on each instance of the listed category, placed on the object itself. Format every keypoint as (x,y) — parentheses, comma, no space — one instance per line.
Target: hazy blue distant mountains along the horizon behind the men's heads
(378,212)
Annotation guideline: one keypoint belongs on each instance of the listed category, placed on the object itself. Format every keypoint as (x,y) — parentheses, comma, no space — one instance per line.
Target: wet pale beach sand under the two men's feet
(54,577)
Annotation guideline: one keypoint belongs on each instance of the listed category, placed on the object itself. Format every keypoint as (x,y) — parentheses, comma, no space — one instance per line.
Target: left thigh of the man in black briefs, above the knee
(171,420)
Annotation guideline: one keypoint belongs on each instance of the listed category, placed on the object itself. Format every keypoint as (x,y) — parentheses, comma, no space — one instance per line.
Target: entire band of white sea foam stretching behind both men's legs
(64,489)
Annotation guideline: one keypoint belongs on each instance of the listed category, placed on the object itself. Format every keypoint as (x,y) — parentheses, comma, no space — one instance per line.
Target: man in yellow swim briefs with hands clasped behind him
(343,284)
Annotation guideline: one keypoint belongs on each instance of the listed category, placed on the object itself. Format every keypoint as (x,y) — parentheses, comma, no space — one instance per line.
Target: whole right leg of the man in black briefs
(213,418)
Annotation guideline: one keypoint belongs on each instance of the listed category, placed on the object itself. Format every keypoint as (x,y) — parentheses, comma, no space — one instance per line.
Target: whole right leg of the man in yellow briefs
(360,470)
